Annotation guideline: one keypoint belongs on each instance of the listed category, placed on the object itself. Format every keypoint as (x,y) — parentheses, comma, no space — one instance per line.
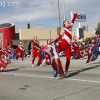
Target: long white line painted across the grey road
(91,81)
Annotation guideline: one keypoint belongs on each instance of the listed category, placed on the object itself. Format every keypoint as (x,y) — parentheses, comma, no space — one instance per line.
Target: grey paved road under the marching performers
(22,82)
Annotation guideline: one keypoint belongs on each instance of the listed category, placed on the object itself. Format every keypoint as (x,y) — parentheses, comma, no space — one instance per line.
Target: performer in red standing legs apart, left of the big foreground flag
(36,51)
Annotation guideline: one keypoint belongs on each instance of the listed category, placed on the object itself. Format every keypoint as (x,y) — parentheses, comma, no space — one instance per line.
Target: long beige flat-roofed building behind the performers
(43,35)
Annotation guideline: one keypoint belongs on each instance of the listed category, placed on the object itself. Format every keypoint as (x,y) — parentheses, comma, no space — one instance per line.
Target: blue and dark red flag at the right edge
(93,52)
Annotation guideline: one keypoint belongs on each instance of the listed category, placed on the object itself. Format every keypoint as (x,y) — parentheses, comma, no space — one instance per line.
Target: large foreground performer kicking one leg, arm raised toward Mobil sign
(65,44)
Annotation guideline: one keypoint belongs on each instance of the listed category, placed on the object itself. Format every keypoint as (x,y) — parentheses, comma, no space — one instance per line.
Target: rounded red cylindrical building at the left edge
(7,33)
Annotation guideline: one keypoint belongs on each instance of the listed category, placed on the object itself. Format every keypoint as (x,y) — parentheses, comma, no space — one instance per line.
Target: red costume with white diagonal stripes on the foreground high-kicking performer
(66,43)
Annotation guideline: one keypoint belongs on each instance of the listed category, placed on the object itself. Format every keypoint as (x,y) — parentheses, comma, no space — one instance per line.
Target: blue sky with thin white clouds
(40,14)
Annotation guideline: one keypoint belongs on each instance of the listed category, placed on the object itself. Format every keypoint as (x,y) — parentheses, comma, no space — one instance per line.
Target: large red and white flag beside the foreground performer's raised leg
(51,51)
